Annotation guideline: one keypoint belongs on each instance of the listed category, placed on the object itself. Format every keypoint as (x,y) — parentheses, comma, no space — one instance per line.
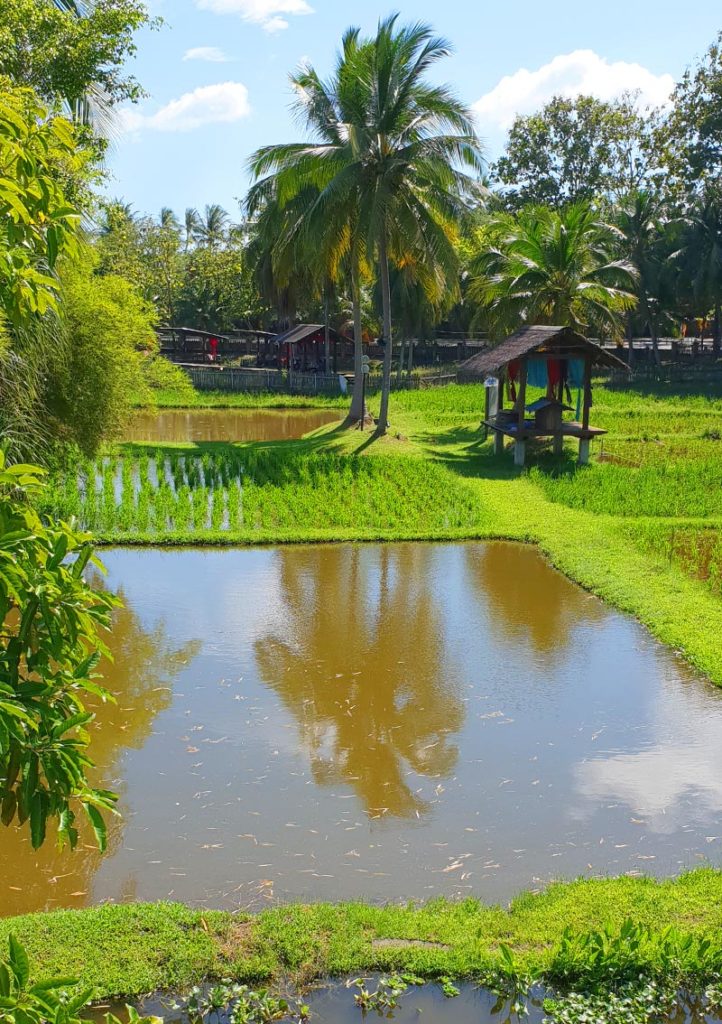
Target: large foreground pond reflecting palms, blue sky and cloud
(381,722)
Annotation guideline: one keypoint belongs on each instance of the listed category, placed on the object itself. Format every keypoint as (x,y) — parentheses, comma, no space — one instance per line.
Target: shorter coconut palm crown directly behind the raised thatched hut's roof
(553,267)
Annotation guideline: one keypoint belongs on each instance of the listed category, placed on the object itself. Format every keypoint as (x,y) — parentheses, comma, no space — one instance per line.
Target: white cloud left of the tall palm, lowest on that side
(224,103)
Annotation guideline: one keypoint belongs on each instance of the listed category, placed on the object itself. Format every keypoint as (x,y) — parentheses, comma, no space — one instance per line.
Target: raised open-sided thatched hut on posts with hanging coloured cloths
(557,359)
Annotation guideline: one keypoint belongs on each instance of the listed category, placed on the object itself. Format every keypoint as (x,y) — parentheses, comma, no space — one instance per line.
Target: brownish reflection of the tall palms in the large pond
(360,662)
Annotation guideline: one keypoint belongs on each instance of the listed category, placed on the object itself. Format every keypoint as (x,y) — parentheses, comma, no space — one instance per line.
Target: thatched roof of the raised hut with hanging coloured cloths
(559,343)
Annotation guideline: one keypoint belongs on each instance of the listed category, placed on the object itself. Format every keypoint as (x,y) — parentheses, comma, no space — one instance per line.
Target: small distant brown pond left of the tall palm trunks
(227,424)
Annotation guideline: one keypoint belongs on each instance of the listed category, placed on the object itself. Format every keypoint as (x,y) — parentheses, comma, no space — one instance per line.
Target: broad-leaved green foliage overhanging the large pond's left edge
(51,621)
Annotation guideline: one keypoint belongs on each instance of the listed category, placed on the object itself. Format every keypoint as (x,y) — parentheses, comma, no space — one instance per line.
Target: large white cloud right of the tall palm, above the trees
(581,73)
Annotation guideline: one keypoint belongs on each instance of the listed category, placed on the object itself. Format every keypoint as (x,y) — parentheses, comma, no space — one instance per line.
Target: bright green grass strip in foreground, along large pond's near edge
(133,950)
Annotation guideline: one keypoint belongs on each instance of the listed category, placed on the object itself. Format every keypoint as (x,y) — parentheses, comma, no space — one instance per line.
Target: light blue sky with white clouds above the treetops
(218,74)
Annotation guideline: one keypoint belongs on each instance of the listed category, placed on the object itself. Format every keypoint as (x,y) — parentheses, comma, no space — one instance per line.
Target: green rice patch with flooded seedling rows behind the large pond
(166,493)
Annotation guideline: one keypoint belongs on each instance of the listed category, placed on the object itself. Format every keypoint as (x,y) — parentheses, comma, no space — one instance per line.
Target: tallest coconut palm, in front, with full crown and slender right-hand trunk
(386,156)
